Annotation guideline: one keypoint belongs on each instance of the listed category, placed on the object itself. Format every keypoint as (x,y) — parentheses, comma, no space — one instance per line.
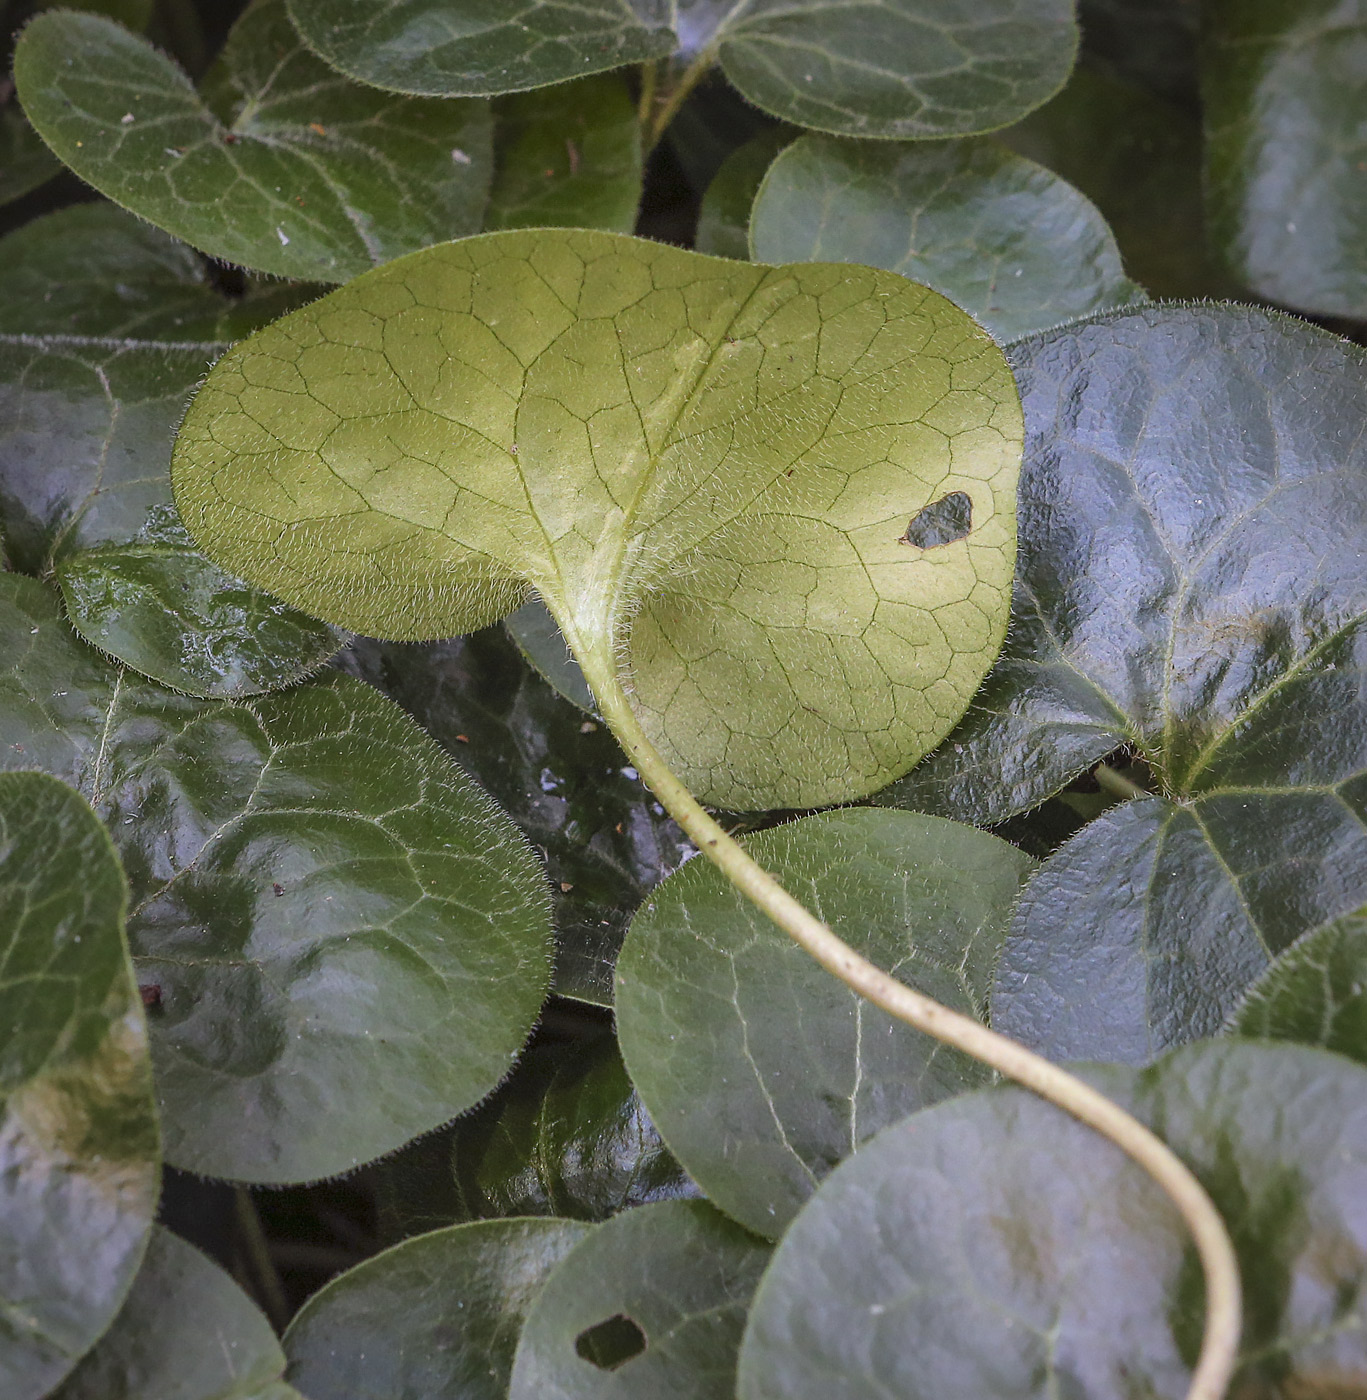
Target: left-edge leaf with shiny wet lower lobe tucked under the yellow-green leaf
(85,493)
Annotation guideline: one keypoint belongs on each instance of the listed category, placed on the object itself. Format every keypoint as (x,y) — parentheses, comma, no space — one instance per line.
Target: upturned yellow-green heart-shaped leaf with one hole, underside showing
(707,471)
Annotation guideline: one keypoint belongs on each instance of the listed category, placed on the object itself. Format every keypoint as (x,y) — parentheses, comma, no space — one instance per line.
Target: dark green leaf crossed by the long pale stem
(760,1069)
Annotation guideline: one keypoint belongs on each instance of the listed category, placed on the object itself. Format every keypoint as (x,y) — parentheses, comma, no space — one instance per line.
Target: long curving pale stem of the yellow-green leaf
(1219,1349)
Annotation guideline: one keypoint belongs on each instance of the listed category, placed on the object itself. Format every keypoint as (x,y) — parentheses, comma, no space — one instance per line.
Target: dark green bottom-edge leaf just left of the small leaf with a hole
(436,1318)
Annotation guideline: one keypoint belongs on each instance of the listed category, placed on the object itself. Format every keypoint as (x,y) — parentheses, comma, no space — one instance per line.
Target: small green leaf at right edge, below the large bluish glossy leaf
(1314,993)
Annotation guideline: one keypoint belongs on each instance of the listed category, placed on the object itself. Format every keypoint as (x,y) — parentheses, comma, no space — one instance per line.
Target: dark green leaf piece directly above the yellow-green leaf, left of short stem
(568,156)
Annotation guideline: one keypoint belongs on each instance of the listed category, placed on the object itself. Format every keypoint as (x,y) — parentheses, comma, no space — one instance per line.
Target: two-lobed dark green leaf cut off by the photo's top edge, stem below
(894,68)
